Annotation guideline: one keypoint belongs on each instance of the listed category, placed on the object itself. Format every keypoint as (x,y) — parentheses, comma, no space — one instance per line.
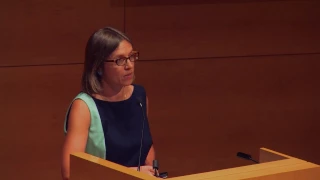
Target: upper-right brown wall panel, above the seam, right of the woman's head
(169,31)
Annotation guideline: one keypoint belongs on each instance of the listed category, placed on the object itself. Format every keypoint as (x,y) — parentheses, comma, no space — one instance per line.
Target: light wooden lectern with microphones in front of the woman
(273,165)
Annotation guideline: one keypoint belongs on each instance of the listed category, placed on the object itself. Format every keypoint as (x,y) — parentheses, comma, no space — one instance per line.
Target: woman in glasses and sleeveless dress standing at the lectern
(106,118)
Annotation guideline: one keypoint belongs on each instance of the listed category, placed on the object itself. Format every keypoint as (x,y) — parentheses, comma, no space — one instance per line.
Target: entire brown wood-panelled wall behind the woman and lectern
(202,111)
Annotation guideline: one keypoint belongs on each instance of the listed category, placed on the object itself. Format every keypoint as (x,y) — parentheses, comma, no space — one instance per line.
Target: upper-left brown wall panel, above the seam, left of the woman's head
(52,32)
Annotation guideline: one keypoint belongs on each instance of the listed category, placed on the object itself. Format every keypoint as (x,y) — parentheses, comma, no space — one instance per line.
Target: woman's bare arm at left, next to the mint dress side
(76,137)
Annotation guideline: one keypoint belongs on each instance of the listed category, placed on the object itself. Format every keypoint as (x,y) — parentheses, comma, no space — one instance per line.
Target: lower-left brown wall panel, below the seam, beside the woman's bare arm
(33,105)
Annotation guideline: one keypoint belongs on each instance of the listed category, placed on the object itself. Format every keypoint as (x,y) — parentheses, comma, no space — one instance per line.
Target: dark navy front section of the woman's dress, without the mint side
(122,126)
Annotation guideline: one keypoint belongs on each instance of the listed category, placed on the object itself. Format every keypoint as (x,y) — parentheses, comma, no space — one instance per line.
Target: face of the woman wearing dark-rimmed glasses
(121,75)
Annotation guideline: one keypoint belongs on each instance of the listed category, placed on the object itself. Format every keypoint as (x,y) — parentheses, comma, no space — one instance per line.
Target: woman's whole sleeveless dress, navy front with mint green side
(116,127)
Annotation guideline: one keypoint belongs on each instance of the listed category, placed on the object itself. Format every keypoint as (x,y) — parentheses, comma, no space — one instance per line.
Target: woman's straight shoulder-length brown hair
(100,46)
